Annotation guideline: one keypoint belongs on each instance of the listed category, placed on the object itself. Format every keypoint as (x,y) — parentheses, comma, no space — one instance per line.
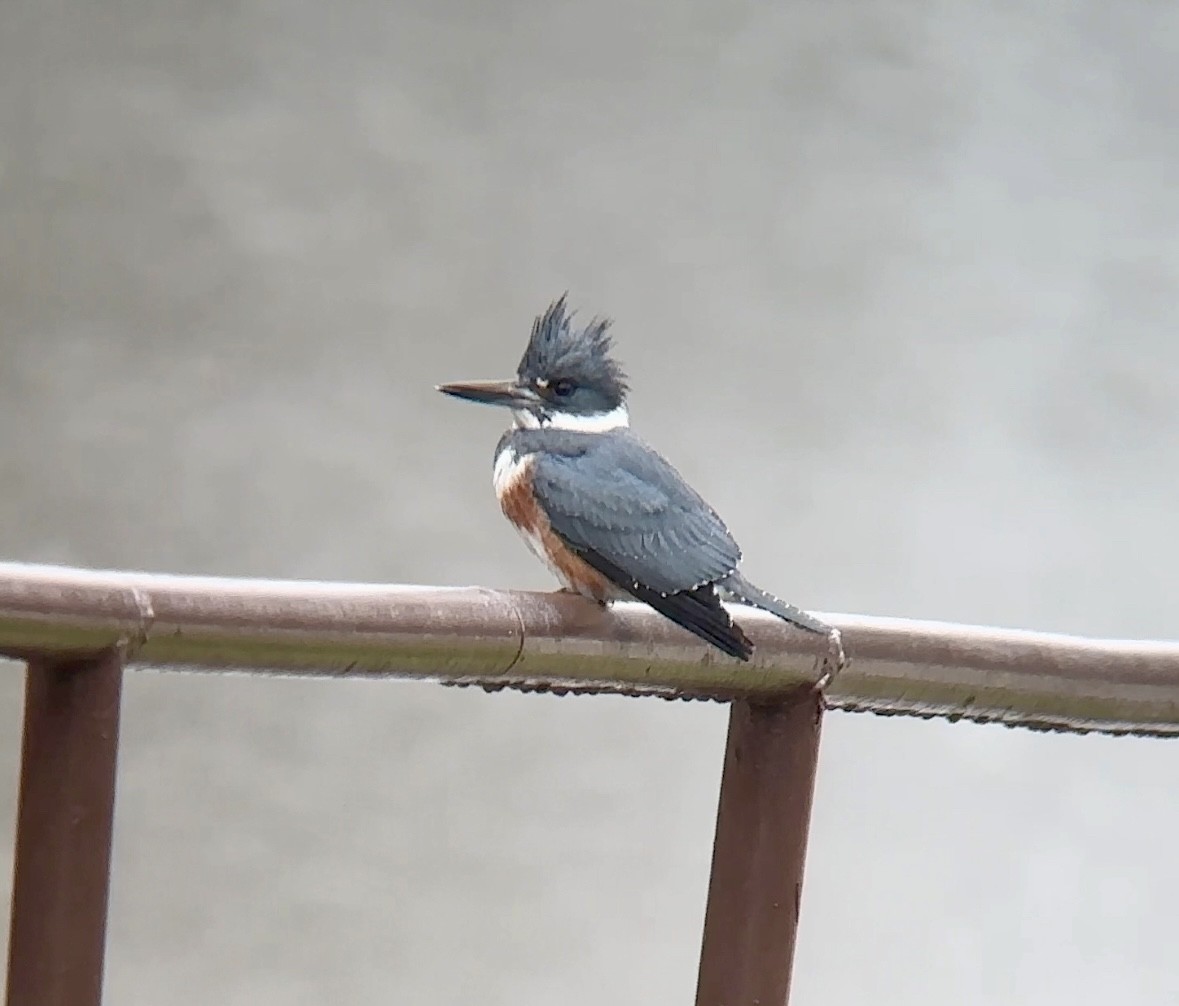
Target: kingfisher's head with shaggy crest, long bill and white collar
(568,378)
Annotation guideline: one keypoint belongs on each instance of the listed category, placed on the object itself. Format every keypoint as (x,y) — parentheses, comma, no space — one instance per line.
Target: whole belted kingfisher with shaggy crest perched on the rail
(605,512)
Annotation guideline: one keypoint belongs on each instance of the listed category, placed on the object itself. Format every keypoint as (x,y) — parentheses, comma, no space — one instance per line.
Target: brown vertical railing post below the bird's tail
(758,862)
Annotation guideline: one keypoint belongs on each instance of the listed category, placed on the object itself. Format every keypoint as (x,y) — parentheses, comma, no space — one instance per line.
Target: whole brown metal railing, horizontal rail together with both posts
(78,630)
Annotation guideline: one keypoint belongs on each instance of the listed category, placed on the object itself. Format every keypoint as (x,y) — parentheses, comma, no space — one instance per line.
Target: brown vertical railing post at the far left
(63,858)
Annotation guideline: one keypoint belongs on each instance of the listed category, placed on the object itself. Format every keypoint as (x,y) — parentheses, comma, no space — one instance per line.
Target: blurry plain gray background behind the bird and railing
(897,285)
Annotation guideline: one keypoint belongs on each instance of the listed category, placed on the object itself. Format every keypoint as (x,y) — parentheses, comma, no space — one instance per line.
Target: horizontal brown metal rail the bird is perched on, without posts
(472,636)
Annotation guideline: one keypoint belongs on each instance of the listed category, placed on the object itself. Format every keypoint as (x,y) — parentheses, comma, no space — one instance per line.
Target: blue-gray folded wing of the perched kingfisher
(621,501)
